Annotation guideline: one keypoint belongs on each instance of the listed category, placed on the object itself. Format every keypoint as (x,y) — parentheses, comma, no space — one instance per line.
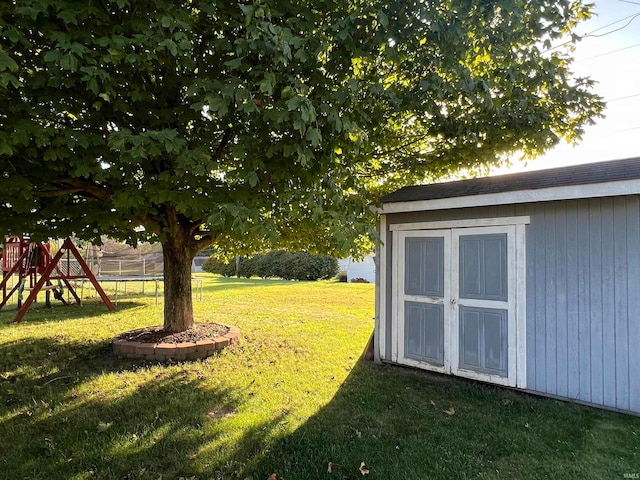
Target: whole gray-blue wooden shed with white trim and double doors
(528,280)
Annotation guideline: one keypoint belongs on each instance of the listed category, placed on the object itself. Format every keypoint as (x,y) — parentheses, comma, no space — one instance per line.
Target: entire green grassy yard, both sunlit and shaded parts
(292,398)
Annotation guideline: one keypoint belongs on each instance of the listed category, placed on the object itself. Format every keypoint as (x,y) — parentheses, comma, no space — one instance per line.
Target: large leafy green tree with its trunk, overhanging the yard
(273,122)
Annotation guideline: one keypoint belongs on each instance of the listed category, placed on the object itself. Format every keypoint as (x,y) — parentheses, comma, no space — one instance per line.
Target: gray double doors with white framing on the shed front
(455,304)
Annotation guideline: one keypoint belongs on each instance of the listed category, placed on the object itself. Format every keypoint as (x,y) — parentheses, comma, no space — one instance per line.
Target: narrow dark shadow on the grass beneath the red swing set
(40,314)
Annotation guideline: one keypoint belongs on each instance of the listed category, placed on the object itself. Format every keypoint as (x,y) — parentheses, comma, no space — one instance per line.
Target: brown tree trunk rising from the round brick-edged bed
(178,253)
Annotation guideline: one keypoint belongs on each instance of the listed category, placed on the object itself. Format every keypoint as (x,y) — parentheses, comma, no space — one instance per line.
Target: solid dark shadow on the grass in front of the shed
(407,425)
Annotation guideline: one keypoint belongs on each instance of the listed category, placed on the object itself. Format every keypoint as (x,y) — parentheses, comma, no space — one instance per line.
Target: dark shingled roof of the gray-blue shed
(585,174)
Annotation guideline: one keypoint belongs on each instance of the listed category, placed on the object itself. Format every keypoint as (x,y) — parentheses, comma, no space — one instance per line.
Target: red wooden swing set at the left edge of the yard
(33,269)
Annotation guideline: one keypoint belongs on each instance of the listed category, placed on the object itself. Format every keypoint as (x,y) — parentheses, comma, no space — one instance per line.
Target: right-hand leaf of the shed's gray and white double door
(484,342)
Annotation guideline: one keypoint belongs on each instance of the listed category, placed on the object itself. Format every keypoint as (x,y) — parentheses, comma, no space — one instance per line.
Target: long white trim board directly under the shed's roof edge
(569,192)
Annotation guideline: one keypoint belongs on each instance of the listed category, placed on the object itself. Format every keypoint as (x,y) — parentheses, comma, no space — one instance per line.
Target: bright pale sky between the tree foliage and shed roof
(610,54)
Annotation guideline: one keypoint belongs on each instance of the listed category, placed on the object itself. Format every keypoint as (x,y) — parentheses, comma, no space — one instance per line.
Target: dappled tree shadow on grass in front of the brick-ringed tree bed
(97,416)
